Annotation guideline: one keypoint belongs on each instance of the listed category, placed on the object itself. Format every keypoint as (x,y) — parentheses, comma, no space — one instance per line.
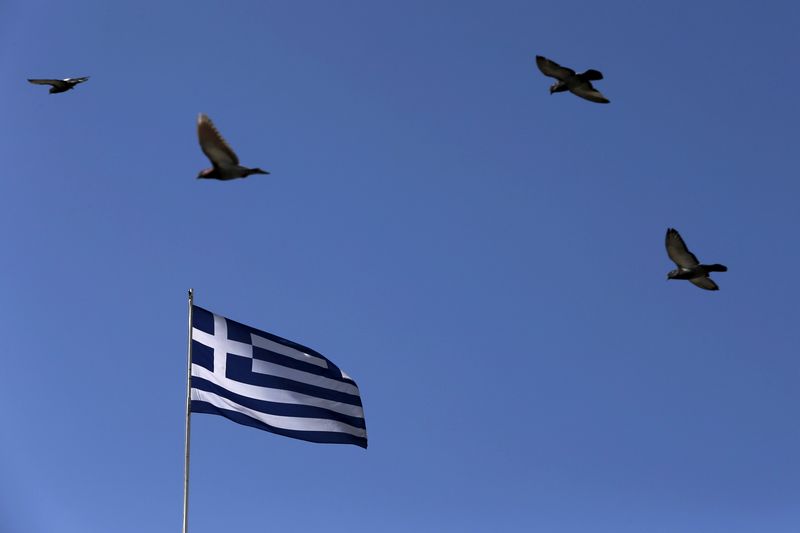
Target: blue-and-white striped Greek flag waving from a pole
(261,380)
